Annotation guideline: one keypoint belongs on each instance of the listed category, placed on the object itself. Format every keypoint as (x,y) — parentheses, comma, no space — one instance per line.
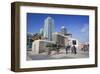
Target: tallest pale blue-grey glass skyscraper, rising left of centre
(48,28)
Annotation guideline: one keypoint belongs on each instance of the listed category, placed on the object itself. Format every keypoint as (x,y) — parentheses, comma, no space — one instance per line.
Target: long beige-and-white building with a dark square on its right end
(65,40)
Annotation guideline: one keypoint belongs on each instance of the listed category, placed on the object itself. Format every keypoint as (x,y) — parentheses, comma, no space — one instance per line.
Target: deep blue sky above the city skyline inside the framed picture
(77,25)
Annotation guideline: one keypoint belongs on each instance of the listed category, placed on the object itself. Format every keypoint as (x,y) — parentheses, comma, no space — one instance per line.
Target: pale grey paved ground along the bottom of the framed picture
(54,55)
